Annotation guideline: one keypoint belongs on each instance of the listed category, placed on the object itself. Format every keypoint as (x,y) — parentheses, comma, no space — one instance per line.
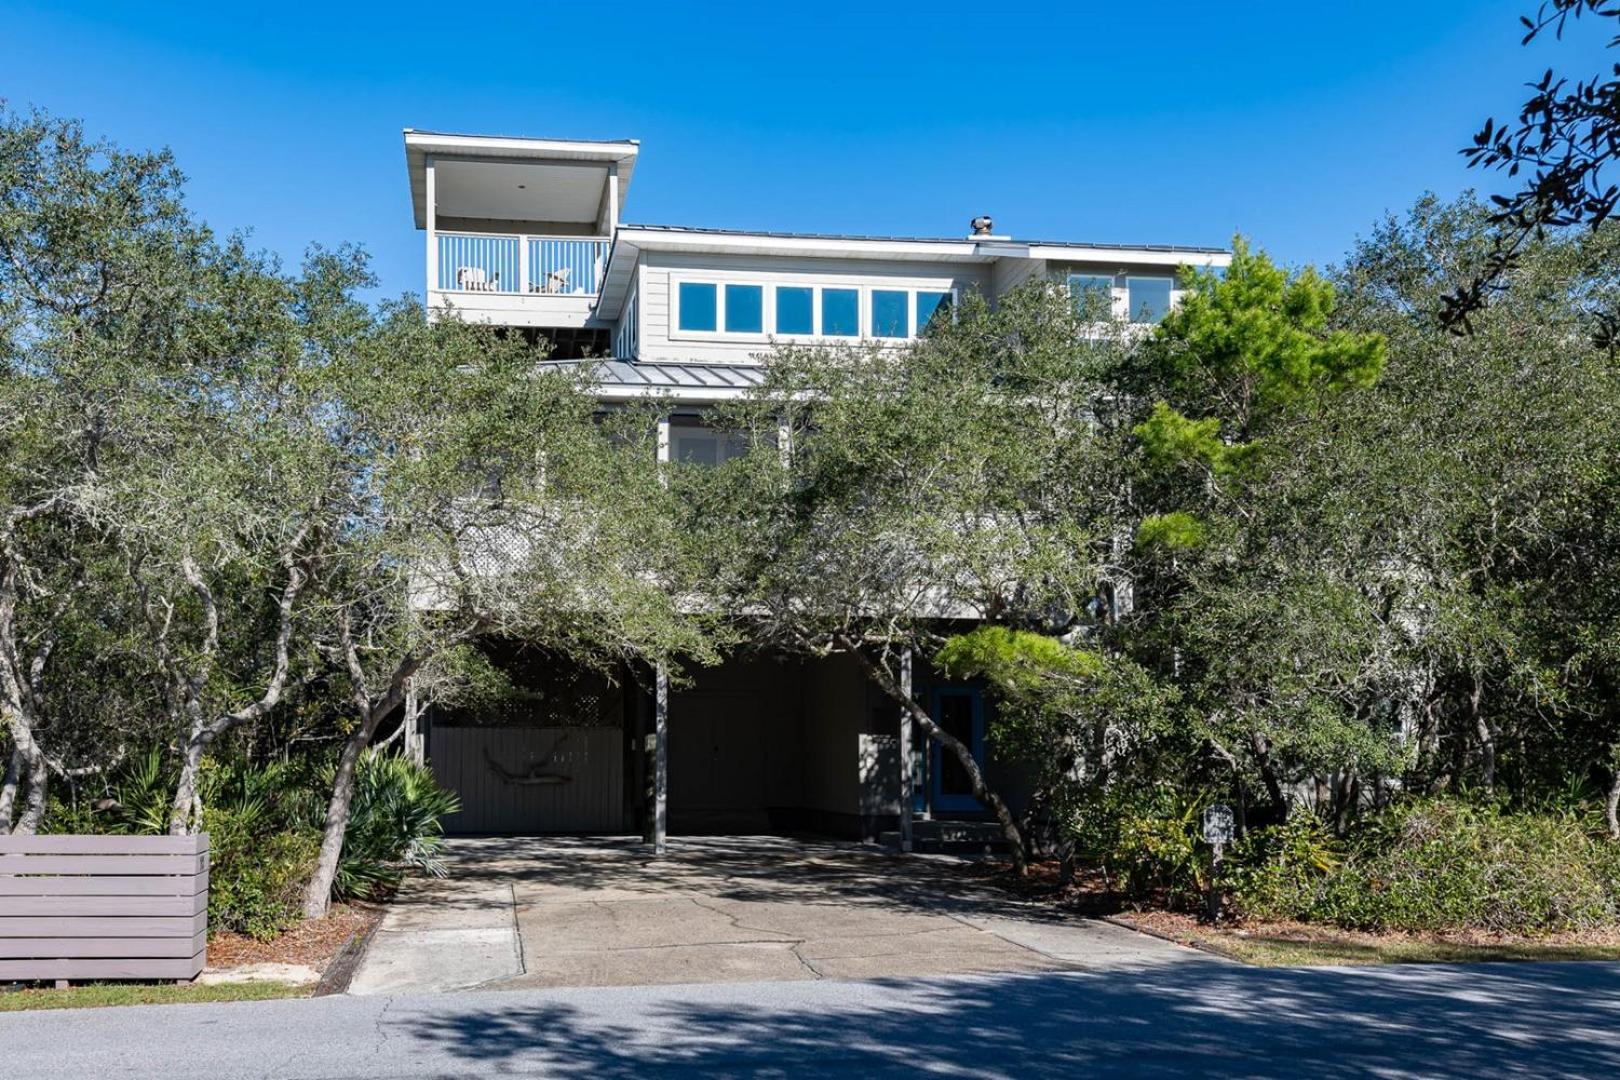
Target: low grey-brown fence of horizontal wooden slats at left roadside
(90,908)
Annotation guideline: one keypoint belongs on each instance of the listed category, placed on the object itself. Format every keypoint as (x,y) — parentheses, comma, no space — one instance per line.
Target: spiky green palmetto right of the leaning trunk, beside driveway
(394,825)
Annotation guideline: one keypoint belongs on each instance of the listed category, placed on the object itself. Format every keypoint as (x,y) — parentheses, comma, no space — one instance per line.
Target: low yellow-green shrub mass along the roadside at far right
(1439,865)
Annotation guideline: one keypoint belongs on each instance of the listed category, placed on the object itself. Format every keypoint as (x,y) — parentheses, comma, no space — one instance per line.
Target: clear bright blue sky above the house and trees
(1169,122)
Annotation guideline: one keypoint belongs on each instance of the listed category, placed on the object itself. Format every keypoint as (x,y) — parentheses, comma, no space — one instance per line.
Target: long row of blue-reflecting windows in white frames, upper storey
(806,310)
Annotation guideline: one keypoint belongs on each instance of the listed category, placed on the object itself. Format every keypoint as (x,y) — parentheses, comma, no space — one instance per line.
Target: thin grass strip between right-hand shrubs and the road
(1302,945)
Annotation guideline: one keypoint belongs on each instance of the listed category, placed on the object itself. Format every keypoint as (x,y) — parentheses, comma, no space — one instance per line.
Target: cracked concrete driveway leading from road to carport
(603,912)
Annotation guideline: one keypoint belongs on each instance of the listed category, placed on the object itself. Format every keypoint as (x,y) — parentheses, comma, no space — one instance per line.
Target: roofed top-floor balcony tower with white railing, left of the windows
(518,229)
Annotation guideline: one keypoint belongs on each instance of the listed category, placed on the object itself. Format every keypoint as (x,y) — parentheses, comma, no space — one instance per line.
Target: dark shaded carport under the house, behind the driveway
(756,746)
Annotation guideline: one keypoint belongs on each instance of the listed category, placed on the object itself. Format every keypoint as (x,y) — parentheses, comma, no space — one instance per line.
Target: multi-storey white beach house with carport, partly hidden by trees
(529,234)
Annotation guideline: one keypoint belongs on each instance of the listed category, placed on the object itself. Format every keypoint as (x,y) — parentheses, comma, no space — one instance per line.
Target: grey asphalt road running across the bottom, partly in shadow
(1198,1019)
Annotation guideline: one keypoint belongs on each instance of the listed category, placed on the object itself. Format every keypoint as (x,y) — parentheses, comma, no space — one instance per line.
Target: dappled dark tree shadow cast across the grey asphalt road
(1188,1019)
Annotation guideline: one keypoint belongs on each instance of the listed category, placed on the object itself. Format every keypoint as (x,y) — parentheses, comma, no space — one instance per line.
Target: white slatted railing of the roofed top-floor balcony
(555,266)
